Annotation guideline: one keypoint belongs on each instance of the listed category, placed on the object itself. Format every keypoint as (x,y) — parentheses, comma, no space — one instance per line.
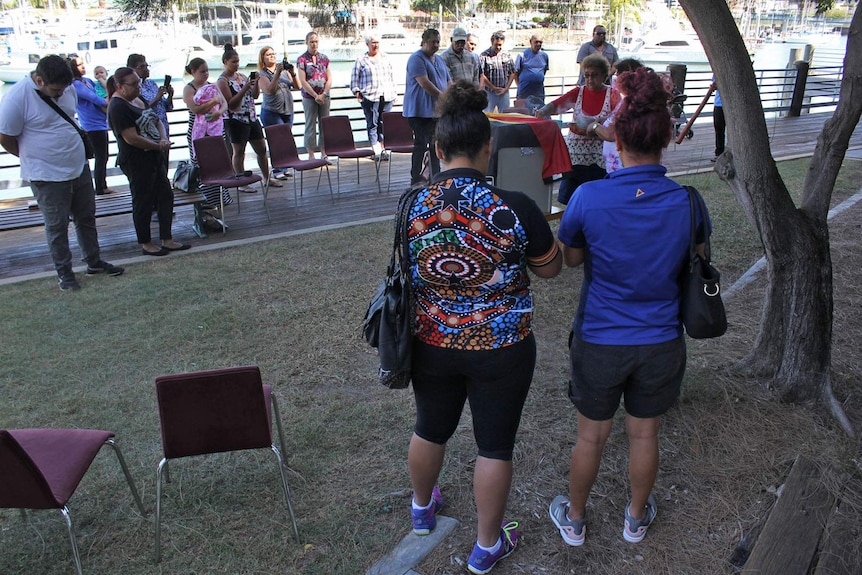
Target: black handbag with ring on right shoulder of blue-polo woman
(701,308)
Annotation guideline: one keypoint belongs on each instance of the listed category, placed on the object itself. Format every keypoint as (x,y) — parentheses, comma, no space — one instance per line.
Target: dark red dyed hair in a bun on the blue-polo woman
(643,123)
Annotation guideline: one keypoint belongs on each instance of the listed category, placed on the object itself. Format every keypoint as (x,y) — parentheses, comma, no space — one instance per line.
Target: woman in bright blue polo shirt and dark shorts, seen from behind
(631,232)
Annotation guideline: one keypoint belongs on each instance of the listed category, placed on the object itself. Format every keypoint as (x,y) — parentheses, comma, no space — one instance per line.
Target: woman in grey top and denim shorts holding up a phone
(276,80)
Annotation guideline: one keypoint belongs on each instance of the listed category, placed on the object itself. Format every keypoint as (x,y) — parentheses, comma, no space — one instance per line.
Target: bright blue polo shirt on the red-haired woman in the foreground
(634,226)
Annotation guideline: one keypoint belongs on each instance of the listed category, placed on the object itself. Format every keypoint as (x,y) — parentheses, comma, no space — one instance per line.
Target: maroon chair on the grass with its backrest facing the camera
(212,412)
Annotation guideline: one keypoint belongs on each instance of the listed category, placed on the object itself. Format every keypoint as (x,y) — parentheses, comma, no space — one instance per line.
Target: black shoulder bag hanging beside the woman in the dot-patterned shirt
(388,323)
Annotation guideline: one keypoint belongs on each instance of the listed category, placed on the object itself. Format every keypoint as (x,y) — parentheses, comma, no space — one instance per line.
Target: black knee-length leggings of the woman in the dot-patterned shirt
(495,382)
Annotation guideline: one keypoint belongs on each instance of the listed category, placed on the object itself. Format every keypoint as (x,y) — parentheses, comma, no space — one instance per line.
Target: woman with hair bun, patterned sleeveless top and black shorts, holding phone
(242,125)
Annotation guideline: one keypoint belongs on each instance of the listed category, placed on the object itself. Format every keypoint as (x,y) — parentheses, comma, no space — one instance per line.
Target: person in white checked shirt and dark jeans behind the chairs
(373,84)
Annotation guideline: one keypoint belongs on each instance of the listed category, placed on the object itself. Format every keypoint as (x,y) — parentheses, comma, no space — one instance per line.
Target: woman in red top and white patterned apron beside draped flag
(591,105)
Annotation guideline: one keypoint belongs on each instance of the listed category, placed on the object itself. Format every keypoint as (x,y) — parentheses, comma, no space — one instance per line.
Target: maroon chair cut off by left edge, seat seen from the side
(41,468)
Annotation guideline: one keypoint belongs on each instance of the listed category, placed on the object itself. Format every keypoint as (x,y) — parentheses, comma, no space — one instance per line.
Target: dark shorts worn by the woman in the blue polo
(648,377)
